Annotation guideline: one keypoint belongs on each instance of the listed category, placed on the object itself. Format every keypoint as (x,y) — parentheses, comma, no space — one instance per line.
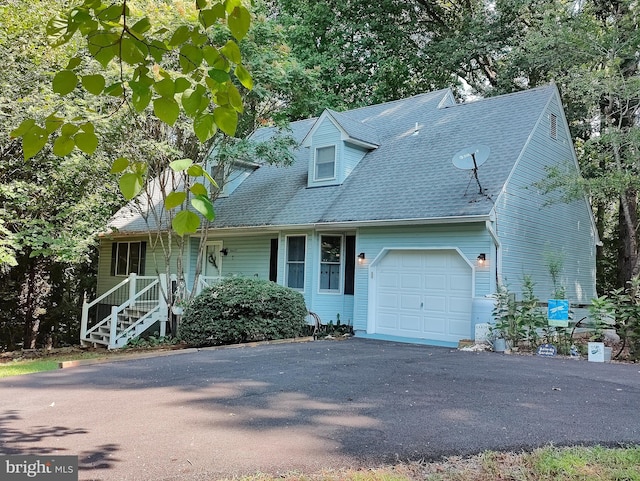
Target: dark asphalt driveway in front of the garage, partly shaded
(306,406)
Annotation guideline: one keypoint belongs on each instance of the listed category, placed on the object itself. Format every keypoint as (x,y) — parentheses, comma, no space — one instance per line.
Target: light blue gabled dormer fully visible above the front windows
(336,143)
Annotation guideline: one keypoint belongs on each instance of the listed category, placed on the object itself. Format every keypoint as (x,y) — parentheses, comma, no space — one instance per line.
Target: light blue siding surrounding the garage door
(470,239)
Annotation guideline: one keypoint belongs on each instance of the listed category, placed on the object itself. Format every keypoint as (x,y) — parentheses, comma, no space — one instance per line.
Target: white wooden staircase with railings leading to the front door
(125,312)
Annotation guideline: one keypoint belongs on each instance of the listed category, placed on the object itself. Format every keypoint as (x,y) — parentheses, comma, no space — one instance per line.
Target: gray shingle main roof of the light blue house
(407,177)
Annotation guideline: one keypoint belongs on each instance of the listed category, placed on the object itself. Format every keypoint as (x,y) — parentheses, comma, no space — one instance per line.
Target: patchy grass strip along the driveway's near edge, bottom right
(544,464)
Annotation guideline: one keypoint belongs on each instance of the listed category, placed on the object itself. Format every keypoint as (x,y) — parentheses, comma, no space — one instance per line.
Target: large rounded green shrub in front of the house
(239,309)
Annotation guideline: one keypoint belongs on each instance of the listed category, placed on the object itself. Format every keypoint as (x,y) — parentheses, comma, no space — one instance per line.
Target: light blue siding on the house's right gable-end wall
(535,228)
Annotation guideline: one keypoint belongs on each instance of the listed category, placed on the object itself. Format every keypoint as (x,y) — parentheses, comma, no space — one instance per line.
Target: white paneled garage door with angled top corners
(424,295)
